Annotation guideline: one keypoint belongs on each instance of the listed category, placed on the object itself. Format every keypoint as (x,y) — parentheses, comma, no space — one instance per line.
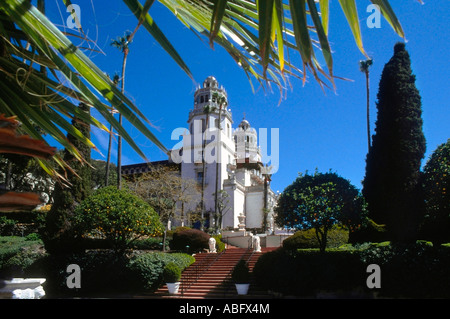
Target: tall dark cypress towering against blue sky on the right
(391,184)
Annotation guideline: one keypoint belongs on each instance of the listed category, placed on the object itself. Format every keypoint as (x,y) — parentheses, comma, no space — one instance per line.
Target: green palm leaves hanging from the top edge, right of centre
(266,31)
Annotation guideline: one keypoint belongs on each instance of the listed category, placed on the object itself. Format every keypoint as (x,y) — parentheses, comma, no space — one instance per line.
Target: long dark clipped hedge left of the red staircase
(103,272)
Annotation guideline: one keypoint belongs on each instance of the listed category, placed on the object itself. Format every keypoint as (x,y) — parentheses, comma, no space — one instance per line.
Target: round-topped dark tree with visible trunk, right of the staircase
(320,201)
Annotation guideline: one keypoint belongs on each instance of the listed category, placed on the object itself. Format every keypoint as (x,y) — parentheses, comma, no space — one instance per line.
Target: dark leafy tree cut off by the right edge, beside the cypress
(437,194)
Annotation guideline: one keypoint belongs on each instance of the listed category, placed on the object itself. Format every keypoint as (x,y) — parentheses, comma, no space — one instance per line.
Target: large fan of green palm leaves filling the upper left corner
(41,84)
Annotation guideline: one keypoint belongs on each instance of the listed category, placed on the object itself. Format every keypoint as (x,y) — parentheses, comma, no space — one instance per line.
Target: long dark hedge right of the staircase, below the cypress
(409,271)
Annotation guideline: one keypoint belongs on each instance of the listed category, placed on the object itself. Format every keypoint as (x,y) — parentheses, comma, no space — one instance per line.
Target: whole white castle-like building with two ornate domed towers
(229,156)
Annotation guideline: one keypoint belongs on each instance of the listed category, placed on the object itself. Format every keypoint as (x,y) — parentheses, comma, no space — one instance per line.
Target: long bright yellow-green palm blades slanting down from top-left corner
(44,34)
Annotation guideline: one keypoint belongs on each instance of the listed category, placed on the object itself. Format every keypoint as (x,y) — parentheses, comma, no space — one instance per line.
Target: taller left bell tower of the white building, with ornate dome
(210,139)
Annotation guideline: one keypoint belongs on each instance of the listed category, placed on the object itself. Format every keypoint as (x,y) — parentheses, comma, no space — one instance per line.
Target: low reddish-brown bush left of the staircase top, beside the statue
(195,239)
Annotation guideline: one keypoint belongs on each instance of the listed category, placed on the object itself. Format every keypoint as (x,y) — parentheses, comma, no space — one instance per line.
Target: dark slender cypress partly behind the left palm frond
(65,199)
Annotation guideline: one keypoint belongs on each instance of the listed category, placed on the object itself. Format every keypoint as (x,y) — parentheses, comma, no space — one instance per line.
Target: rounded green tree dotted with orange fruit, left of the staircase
(116,215)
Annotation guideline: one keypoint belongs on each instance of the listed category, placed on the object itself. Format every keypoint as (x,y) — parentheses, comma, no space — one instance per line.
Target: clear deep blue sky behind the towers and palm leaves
(317,129)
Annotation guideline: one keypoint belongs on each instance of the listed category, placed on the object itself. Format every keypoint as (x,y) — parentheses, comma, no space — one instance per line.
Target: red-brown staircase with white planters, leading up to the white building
(210,276)
